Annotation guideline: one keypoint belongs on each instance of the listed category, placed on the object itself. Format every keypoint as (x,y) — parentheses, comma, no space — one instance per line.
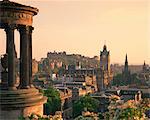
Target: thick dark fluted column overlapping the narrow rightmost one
(24,57)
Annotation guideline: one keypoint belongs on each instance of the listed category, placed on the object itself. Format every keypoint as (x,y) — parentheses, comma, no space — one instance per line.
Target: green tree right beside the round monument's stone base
(54,102)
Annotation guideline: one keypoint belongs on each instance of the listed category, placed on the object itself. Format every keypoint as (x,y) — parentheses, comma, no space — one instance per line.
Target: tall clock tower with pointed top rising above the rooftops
(104,73)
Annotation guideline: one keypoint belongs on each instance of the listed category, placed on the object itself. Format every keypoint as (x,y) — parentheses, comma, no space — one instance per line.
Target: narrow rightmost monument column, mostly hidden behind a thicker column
(30,56)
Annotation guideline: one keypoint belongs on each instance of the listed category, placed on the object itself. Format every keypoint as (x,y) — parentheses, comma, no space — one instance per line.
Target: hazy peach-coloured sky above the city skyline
(82,26)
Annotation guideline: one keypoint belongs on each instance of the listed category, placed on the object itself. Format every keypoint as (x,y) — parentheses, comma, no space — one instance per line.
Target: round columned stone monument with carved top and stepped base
(24,99)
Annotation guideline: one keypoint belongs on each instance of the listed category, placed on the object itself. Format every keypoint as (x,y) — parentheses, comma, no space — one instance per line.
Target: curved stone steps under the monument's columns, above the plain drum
(21,98)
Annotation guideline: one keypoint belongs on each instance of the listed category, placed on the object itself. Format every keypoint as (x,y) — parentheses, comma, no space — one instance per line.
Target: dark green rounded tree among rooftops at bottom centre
(86,102)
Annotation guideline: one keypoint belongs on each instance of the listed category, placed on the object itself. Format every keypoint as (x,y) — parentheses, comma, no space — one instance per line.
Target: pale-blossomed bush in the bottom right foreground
(128,111)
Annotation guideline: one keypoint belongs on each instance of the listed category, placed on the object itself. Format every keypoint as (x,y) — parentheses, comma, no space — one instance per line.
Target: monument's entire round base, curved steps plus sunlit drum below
(21,102)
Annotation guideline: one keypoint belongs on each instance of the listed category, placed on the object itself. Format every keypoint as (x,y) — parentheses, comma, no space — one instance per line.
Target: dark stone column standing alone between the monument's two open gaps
(11,56)
